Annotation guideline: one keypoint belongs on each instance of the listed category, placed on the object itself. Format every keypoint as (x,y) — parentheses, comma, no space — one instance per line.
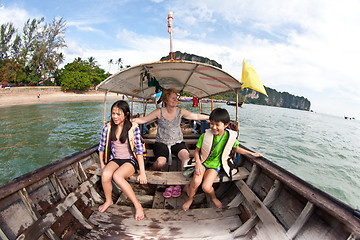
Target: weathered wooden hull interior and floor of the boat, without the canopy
(60,201)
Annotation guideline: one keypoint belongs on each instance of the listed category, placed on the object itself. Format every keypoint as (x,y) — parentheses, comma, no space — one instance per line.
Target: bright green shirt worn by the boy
(214,161)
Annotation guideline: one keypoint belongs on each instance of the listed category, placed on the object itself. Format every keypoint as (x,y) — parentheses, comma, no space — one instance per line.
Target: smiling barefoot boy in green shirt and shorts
(207,167)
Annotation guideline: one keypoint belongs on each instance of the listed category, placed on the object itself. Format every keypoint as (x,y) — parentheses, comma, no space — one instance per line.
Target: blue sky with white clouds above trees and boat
(305,47)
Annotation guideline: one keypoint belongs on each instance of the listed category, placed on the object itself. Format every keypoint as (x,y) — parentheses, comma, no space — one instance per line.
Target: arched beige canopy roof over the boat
(144,80)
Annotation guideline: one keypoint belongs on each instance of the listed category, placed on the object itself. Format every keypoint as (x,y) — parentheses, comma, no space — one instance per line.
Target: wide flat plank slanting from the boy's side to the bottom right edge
(273,228)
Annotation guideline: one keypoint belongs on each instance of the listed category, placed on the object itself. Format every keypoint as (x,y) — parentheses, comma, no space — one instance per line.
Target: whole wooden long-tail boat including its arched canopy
(261,201)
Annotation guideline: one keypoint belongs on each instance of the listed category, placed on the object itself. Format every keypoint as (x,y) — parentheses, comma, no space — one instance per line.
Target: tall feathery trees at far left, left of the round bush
(33,55)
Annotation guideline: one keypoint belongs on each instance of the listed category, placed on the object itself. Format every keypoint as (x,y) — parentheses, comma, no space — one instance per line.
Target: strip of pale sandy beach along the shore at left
(23,96)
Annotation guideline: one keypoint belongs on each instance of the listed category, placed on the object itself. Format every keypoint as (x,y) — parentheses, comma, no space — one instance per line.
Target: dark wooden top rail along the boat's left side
(36,175)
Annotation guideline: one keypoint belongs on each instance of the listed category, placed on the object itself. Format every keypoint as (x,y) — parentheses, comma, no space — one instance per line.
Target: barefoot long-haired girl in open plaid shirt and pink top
(119,158)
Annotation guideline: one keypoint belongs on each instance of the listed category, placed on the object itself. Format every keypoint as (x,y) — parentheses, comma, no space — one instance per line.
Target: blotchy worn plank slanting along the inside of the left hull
(46,220)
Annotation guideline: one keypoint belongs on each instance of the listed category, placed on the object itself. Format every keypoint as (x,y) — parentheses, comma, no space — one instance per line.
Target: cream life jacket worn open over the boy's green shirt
(226,158)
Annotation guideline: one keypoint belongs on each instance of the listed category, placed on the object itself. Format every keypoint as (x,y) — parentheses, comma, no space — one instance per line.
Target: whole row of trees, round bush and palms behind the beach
(32,57)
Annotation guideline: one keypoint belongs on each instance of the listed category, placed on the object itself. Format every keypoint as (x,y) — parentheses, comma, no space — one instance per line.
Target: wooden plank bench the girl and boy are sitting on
(169,178)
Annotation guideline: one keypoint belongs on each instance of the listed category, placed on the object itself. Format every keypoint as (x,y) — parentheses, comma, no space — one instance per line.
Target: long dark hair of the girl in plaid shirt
(124,106)
